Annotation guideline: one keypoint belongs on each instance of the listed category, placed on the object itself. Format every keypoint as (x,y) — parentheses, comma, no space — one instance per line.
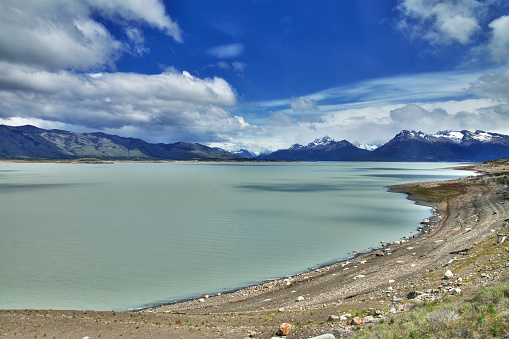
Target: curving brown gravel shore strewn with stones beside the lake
(447,259)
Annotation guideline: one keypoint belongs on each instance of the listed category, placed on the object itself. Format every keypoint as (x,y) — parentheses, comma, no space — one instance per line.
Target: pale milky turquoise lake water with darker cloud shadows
(123,236)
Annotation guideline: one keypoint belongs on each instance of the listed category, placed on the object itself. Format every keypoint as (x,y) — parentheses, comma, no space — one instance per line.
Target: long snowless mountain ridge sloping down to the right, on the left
(29,142)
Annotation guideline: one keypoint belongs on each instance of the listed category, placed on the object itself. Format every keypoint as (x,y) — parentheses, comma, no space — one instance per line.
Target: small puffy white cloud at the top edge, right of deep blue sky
(444,22)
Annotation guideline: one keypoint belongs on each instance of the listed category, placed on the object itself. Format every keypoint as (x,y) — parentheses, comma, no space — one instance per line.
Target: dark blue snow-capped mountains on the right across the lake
(447,146)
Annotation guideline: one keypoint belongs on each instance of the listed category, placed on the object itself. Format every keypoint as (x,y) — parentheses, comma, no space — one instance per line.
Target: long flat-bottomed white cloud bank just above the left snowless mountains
(185,105)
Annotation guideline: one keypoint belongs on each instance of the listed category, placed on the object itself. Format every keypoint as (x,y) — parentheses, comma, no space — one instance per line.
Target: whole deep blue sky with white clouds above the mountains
(255,74)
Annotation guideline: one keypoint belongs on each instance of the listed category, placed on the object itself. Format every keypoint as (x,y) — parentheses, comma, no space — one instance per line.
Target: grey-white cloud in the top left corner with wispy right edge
(57,34)
